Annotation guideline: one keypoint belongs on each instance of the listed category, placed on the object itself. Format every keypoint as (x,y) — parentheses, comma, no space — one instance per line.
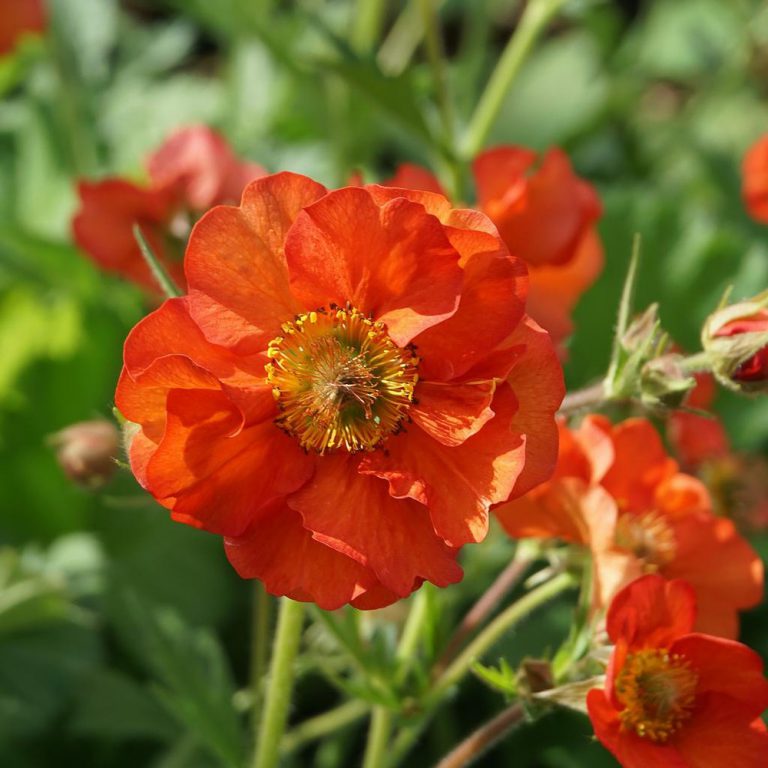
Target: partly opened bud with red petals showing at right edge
(736,340)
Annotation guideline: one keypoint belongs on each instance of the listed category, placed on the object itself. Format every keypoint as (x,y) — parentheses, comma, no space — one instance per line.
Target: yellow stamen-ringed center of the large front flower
(340,382)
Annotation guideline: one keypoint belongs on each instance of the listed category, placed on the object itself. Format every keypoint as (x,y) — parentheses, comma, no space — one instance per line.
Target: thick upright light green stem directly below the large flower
(281,673)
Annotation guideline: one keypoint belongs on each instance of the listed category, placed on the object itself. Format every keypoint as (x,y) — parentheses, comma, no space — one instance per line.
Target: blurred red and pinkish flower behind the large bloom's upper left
(192,171)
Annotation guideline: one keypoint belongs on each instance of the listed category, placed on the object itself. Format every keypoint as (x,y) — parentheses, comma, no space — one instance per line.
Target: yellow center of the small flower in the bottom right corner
(658,691)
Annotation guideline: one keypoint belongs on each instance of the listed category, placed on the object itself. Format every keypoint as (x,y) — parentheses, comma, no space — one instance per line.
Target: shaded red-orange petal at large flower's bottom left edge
(279,551)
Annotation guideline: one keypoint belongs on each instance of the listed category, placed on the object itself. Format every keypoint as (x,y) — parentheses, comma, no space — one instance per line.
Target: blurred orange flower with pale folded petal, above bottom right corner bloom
(616,491)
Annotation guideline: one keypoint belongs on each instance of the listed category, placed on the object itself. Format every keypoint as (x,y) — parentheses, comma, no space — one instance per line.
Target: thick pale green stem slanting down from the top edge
(536,16)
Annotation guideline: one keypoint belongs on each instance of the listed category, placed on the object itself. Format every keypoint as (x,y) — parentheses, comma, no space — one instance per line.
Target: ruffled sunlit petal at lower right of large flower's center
(458,484)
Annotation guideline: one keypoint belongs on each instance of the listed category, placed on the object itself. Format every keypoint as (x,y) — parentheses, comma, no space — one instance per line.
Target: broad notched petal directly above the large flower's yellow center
(393,261)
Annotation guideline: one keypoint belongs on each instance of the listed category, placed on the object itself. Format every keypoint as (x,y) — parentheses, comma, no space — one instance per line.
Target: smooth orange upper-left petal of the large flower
(235,263)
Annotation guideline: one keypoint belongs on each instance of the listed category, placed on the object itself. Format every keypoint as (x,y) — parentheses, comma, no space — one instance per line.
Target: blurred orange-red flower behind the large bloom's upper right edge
(546,215)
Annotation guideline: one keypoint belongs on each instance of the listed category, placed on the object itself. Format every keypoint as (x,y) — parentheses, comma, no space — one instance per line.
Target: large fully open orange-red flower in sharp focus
(347,388)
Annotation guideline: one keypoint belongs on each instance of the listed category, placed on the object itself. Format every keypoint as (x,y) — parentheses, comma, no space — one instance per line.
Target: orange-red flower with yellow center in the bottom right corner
(674,698)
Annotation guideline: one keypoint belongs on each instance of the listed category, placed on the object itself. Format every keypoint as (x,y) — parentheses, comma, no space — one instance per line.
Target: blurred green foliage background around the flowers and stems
(105,606)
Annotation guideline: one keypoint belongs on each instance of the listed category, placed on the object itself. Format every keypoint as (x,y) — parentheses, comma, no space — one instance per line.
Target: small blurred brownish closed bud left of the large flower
(86,451)
